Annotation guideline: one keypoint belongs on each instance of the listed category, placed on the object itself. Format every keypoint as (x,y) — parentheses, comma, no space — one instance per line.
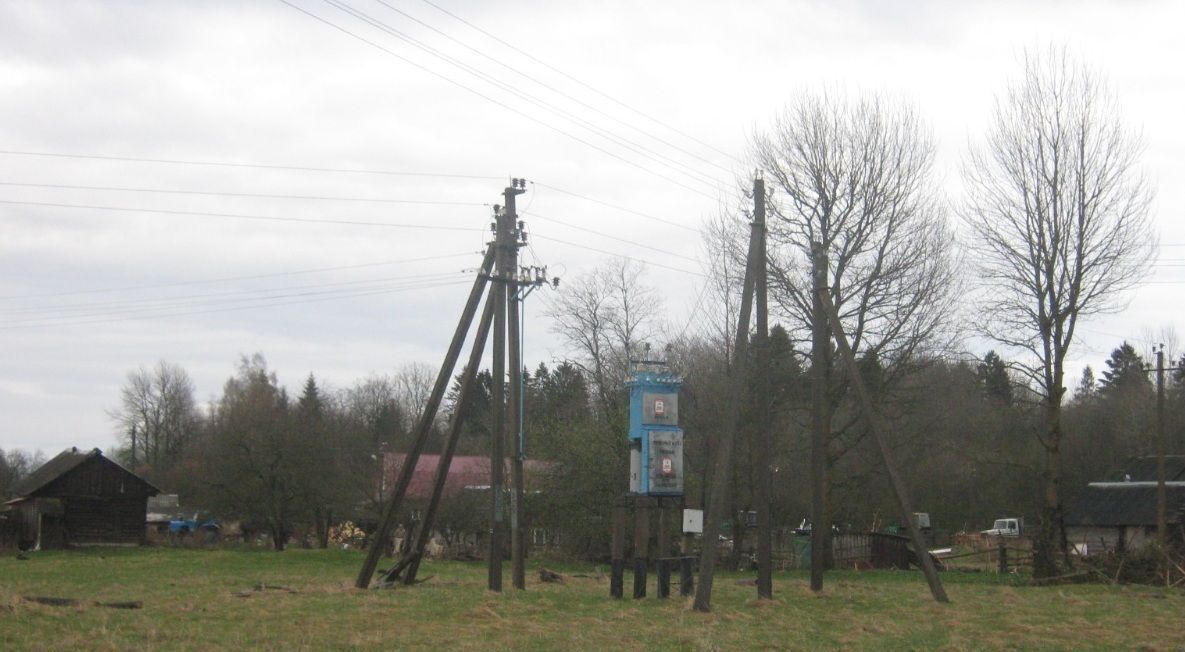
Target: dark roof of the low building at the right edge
(1118,504)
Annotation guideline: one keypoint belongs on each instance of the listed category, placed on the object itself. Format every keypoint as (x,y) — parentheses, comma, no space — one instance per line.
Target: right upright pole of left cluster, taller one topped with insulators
(515,419)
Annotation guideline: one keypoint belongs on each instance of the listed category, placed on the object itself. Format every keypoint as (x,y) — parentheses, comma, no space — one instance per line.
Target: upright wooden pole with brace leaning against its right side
(821,355)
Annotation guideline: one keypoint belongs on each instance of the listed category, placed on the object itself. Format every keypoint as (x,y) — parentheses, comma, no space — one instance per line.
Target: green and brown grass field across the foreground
(190,603)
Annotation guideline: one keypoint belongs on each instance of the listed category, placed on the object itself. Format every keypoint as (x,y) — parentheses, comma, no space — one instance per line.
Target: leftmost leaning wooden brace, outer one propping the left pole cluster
(424,429)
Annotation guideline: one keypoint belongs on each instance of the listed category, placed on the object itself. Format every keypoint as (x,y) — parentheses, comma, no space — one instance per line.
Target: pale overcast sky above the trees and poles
(91,290)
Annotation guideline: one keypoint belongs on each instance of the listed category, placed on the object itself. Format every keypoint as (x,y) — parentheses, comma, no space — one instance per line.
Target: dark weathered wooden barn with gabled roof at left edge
(81,498)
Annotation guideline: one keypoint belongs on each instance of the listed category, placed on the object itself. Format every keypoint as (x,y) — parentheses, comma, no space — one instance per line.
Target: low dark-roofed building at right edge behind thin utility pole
(1122,514)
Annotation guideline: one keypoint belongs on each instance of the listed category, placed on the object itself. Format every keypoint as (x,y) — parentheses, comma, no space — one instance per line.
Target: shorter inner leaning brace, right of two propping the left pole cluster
(425,528)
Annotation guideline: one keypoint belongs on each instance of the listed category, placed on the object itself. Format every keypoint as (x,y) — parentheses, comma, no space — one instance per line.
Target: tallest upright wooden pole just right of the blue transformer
(763,423)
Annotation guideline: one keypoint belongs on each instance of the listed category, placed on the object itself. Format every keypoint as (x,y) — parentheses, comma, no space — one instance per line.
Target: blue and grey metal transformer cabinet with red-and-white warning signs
(656,442)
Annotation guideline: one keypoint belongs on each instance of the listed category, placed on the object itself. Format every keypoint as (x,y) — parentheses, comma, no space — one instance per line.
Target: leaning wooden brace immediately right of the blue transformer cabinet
(723,465)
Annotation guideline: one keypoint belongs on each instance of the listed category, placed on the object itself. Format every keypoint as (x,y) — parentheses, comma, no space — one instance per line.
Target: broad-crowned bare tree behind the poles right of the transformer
(854,176)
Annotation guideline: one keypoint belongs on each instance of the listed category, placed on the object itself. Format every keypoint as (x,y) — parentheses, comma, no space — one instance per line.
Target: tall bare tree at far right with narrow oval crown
(1059,213)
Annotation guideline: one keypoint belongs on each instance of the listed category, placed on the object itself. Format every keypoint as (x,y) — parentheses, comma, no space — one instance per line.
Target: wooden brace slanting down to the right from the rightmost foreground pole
(877,427)
